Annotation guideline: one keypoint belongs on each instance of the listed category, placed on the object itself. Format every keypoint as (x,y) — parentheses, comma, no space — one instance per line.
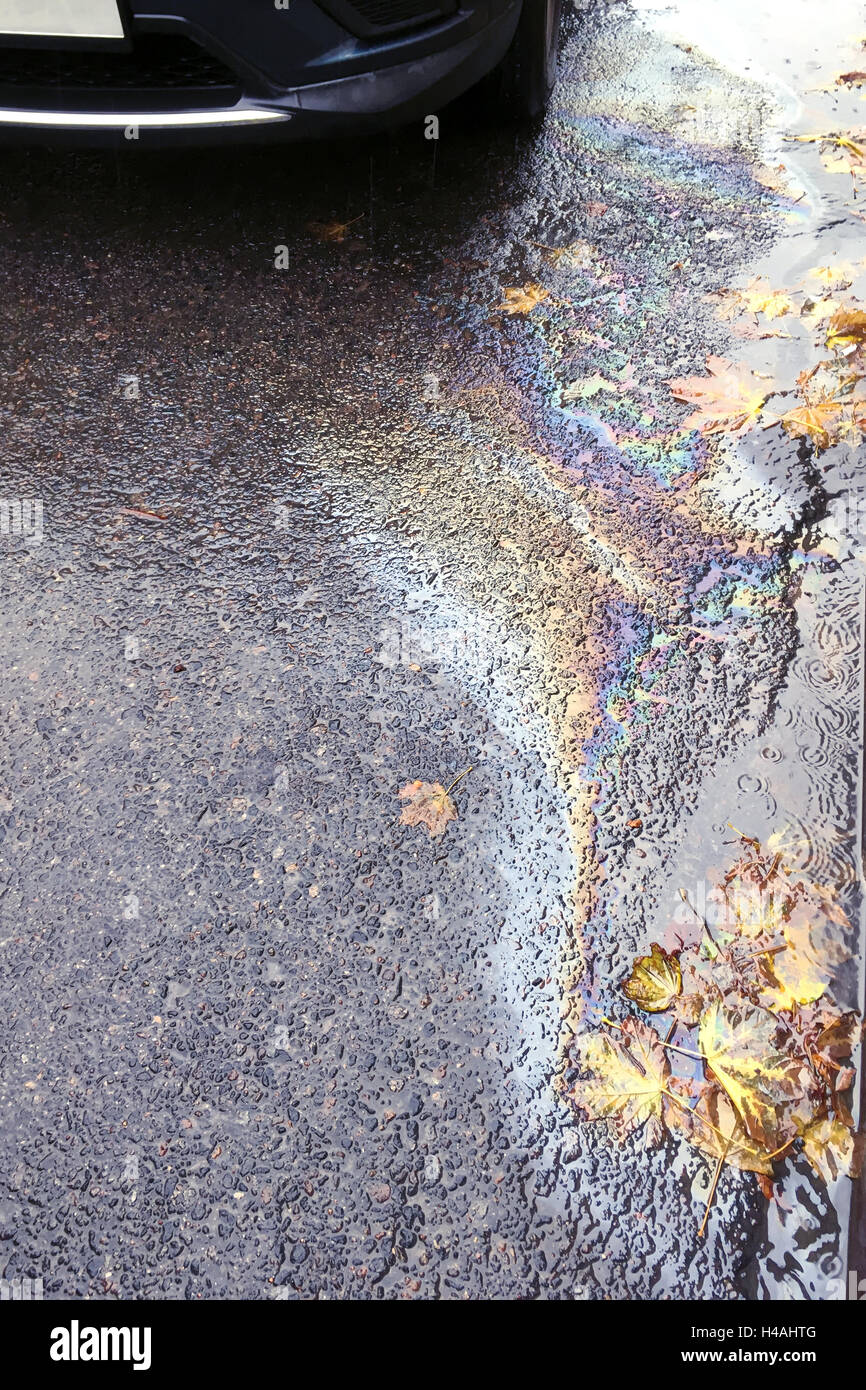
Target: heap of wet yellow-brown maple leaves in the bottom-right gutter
(768,1071)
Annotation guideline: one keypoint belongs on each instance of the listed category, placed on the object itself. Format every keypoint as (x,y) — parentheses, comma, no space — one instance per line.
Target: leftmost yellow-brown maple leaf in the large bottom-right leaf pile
(628,1077)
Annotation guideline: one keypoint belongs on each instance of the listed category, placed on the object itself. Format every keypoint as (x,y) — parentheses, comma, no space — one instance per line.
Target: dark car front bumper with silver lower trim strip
(213,70)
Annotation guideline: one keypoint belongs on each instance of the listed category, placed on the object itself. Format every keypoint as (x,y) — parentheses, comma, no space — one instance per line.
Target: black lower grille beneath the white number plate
(159,65)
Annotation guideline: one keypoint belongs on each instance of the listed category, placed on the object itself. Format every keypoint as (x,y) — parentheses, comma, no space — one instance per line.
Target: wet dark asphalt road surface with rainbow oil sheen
(319,522)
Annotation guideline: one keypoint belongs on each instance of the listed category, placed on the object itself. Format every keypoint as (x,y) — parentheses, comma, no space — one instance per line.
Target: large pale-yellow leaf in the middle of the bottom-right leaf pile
(742,1049)
